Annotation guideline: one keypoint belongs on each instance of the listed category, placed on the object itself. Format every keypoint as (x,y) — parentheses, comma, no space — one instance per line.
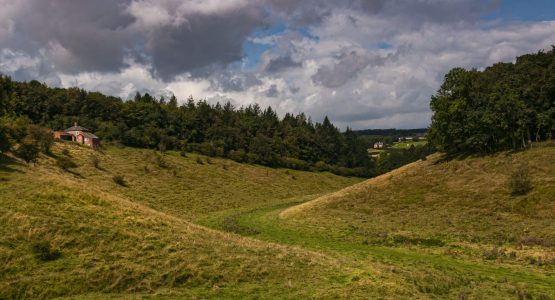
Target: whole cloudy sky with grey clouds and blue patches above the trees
(364,63)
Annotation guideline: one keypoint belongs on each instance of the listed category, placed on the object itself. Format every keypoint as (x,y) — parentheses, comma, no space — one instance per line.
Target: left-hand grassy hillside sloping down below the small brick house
(136,239)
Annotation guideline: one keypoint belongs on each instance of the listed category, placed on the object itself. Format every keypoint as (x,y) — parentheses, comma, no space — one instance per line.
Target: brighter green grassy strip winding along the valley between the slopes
(432,275)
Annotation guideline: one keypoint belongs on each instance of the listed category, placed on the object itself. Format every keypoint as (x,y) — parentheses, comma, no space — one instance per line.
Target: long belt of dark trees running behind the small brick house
(245,134)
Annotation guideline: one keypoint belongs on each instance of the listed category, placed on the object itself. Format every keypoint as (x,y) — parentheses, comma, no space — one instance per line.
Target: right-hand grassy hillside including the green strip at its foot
(452,220)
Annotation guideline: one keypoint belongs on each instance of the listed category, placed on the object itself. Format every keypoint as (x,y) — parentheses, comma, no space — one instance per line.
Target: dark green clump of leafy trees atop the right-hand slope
(505,106)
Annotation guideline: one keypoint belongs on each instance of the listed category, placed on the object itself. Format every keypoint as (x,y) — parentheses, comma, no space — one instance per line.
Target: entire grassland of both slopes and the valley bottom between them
(199,227)
